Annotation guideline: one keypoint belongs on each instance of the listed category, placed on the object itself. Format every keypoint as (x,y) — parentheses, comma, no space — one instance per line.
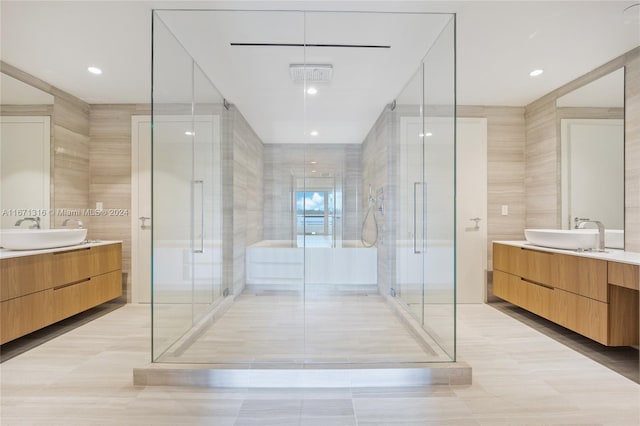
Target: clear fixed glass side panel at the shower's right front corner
(439,177)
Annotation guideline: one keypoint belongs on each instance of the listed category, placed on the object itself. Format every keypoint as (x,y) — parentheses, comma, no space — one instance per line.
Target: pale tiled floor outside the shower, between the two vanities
(521,377)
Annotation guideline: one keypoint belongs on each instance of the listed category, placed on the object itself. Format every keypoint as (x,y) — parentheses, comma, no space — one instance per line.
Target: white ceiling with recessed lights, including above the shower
(498,43)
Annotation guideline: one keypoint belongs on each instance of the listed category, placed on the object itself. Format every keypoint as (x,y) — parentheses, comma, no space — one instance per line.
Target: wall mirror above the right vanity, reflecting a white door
(592,155)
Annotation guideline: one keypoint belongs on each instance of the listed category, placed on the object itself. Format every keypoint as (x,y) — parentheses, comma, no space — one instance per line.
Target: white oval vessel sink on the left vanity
(37,239)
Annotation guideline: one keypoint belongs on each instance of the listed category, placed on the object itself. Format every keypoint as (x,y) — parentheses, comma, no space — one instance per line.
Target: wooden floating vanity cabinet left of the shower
(39,290)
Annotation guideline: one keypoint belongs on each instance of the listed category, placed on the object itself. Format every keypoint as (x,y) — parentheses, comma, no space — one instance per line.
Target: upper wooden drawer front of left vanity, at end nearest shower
(74,265)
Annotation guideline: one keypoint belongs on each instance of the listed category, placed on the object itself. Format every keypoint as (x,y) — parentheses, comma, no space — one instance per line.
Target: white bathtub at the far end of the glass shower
(281,262)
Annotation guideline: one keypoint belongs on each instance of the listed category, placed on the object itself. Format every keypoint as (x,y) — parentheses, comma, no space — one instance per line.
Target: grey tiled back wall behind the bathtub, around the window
(284,168)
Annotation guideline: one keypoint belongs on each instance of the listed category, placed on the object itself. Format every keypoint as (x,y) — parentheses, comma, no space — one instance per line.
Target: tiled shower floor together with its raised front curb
(279,339)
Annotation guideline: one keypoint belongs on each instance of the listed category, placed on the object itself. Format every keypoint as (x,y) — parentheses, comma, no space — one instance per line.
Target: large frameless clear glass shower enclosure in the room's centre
(279,243)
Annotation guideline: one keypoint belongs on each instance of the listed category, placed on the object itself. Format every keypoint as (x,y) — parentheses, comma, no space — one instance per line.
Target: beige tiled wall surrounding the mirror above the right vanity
(542,179)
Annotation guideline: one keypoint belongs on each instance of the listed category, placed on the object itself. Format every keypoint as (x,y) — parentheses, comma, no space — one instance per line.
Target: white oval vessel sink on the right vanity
(568,239)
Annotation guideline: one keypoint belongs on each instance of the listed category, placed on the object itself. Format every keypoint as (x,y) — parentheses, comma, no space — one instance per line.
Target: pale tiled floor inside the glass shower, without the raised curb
(285,327)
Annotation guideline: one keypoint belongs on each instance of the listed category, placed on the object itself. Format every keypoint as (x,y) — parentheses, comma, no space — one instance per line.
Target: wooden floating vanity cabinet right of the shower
(593,297)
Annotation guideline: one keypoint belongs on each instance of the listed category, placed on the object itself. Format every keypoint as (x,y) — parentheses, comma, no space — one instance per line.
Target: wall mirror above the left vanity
(25,141)
